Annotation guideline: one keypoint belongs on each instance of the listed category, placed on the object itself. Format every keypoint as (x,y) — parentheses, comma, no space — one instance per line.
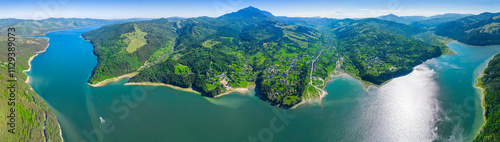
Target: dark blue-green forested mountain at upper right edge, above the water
(480,29)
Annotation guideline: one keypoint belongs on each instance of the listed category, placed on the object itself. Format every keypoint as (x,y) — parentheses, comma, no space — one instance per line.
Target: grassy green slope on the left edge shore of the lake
(31,114)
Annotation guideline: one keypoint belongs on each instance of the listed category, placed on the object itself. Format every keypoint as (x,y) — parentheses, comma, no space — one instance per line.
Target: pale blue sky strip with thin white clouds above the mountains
(120,9)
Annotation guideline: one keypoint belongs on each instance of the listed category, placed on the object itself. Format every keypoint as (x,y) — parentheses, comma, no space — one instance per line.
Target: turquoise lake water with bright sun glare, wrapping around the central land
(437,101)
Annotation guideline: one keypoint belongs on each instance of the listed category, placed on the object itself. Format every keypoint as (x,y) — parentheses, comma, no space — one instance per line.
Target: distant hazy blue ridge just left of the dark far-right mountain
(433,21)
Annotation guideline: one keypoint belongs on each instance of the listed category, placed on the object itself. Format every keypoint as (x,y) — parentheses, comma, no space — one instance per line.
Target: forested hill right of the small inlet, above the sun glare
(378,50)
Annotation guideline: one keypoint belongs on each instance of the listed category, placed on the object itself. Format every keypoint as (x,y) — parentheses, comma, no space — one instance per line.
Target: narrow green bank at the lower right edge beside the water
(491,83)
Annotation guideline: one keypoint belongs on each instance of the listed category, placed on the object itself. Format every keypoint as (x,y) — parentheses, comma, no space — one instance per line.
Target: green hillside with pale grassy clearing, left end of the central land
(117,55)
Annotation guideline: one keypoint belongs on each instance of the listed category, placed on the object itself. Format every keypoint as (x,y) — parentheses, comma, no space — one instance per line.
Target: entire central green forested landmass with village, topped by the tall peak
(286,58)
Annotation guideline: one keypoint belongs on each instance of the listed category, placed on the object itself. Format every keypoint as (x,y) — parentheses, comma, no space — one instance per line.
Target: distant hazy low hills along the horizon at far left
(37,27)
